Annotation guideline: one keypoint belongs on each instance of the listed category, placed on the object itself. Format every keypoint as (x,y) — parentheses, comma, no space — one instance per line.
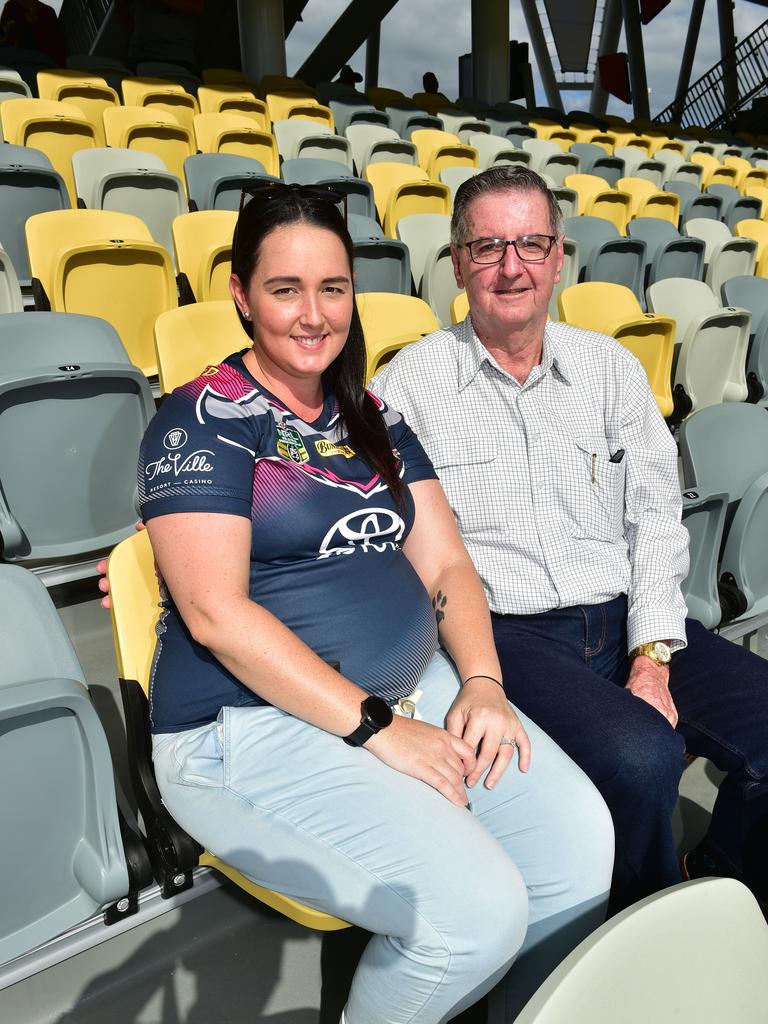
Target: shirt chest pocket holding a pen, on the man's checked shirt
(592,491)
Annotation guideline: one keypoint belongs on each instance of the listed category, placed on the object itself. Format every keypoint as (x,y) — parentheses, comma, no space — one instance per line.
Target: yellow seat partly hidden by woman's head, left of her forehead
(203,243)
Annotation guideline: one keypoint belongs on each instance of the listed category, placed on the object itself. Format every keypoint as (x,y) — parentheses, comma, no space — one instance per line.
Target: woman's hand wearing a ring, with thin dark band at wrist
(483,717)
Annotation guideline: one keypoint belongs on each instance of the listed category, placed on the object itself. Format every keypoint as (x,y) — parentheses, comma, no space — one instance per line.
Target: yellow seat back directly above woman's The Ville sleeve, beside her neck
(190,338)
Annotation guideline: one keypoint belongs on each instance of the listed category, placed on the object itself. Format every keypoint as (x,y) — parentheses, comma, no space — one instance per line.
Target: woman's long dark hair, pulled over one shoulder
(360,415)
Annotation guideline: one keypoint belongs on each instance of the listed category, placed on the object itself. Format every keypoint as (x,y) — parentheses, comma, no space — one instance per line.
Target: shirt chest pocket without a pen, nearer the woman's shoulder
(468,471)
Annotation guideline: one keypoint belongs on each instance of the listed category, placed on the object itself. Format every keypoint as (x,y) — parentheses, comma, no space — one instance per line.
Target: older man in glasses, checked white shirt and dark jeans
(563,478)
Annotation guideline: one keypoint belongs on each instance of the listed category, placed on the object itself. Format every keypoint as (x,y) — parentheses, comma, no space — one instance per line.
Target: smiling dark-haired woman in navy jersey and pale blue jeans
(312,563)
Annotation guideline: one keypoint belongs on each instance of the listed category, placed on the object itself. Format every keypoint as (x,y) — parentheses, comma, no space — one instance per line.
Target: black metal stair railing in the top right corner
(705,104)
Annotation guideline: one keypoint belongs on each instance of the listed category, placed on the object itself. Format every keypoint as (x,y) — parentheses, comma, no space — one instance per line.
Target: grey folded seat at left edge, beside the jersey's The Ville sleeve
(75,409)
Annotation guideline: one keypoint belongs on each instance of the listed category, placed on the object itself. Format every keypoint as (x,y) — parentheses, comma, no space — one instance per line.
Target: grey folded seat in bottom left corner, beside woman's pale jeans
(56,752)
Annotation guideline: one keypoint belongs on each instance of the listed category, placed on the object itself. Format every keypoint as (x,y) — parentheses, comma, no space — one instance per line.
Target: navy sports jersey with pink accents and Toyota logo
(326,550)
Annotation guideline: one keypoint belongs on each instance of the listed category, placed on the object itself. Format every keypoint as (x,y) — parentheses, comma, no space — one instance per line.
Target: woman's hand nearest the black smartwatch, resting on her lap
(428,753)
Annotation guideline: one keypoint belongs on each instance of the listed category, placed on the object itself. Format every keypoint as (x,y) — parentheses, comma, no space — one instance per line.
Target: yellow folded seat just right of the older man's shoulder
(614,310)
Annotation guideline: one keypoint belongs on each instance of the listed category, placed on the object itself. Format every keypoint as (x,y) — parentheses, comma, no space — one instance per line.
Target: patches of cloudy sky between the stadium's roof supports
(421,35)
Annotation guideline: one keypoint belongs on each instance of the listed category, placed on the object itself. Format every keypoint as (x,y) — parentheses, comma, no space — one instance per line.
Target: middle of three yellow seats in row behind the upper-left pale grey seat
(151,131)
